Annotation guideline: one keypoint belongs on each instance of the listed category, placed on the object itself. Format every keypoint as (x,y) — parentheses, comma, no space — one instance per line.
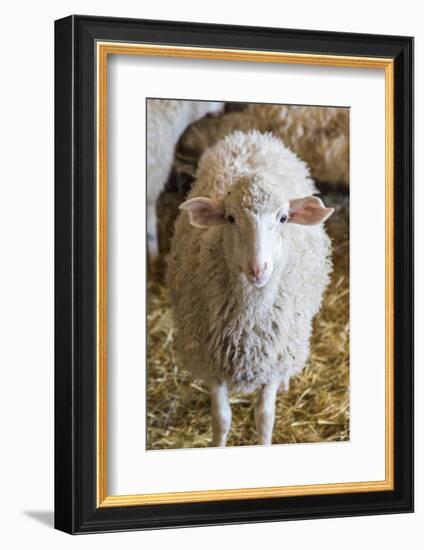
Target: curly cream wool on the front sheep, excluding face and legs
(226,329)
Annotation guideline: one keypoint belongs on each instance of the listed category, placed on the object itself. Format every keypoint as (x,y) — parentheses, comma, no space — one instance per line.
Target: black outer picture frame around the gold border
(76,510)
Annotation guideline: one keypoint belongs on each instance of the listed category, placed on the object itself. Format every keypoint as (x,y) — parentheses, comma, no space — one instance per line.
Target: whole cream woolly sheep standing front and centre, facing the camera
(249,262)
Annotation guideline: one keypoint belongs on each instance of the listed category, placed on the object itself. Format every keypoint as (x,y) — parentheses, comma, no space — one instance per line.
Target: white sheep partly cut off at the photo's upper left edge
(166,121)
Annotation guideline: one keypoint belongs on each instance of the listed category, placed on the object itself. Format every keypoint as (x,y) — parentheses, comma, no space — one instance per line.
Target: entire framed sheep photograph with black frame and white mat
(234,274)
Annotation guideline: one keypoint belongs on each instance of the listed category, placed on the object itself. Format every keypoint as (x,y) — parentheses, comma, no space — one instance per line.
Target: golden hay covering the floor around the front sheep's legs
(316,407)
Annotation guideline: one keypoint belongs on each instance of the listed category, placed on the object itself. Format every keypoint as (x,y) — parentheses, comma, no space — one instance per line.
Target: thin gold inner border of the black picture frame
(103,50)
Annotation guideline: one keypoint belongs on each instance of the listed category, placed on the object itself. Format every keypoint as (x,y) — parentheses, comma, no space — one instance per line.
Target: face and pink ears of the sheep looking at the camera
(254,233)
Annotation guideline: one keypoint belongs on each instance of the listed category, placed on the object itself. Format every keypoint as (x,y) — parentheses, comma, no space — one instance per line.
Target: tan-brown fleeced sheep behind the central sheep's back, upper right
(318,135)
